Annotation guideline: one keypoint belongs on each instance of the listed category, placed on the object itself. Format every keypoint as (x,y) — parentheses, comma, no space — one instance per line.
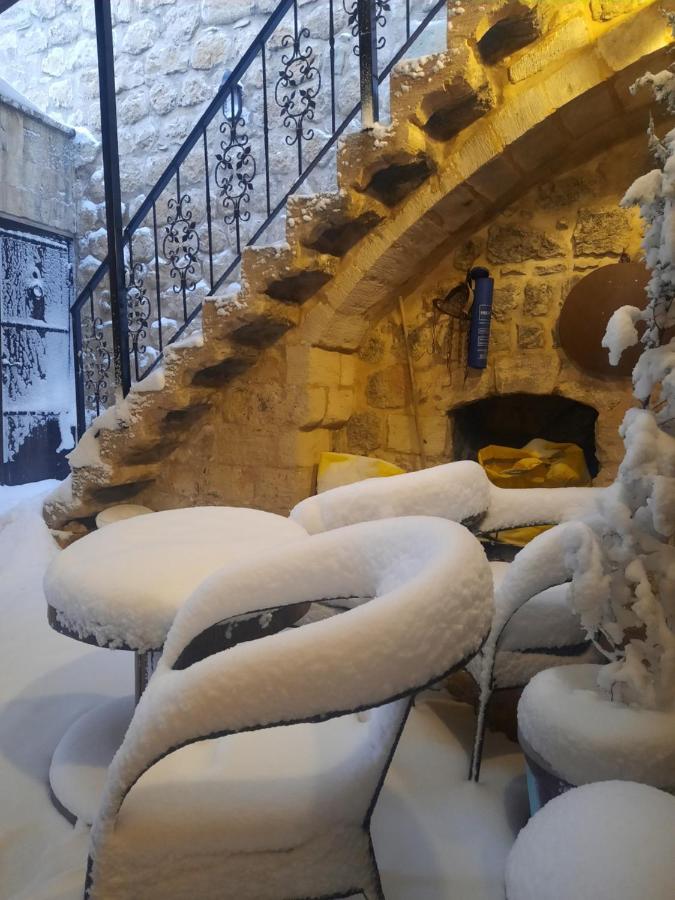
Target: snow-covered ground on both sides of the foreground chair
(436,835)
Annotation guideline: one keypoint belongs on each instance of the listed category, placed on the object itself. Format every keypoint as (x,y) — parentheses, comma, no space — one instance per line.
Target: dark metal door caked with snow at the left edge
(36,395)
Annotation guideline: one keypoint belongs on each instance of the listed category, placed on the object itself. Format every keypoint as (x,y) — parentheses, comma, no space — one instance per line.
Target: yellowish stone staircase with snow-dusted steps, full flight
(400,187)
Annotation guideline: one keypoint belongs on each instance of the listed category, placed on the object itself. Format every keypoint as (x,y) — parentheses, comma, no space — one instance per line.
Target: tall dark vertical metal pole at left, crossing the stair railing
(113,196)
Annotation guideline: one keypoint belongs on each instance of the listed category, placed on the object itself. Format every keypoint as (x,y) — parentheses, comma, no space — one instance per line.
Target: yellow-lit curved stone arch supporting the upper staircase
(556,114)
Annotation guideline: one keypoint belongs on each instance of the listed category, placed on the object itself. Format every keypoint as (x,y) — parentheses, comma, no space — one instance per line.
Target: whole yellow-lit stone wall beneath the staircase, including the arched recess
(259,443)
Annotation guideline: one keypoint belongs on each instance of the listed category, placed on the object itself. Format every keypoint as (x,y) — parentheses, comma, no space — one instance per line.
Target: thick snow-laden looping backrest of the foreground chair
(429,610)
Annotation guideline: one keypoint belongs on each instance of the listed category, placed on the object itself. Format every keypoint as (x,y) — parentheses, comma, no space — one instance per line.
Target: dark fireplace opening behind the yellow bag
(512,420)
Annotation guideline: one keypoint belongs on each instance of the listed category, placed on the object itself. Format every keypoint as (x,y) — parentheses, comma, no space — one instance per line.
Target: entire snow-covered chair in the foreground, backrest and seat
(247,772)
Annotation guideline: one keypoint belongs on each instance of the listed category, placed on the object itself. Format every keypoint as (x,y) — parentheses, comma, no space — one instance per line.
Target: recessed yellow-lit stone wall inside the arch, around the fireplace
(536,249)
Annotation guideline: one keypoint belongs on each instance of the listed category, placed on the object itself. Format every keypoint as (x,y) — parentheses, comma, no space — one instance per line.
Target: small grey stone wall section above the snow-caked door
(36,167)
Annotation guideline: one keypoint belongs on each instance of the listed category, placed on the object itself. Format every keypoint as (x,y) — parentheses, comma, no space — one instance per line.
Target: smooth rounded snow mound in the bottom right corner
(612,840)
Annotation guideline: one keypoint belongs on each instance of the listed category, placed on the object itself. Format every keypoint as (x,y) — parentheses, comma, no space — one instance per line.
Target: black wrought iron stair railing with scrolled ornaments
(276,117)
